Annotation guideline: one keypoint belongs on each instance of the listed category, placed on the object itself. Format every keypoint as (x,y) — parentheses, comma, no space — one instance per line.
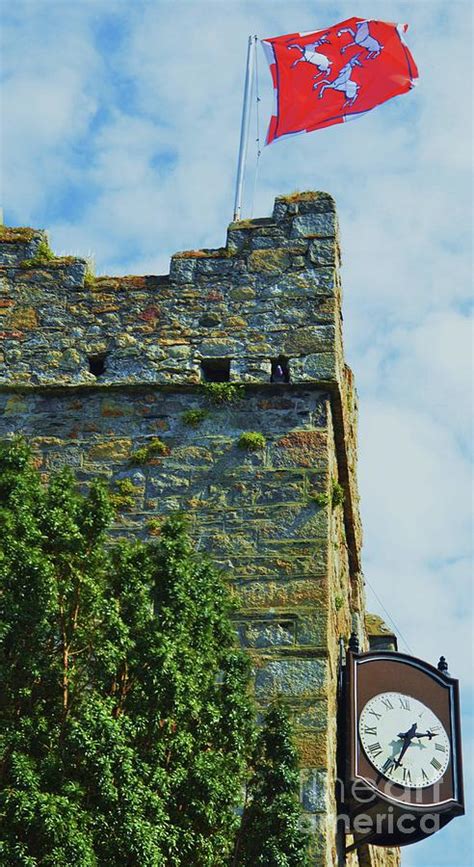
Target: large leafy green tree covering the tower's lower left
(124,718)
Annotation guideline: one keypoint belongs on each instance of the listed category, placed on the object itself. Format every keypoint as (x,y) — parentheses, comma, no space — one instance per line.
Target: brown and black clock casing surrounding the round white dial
(367,675)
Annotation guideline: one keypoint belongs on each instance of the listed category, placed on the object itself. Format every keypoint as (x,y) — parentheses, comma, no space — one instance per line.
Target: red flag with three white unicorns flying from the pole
(336,74)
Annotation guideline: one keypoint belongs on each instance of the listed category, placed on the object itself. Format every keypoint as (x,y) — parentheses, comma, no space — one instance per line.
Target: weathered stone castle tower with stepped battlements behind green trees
(106,375)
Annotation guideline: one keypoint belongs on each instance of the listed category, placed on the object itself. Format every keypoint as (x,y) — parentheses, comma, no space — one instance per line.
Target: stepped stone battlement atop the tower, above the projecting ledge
(271,292)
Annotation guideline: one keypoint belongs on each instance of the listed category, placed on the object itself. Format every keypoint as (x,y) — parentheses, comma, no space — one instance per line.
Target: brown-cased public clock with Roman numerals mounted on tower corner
(403,772)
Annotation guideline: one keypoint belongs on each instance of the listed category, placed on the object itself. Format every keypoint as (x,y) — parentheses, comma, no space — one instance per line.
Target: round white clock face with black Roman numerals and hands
(404,740)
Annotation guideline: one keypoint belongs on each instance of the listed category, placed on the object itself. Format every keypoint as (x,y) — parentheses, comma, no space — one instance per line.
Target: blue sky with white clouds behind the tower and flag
(120,130)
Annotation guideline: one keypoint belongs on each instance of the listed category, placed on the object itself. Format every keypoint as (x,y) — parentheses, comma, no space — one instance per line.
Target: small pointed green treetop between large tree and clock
(270,834)
